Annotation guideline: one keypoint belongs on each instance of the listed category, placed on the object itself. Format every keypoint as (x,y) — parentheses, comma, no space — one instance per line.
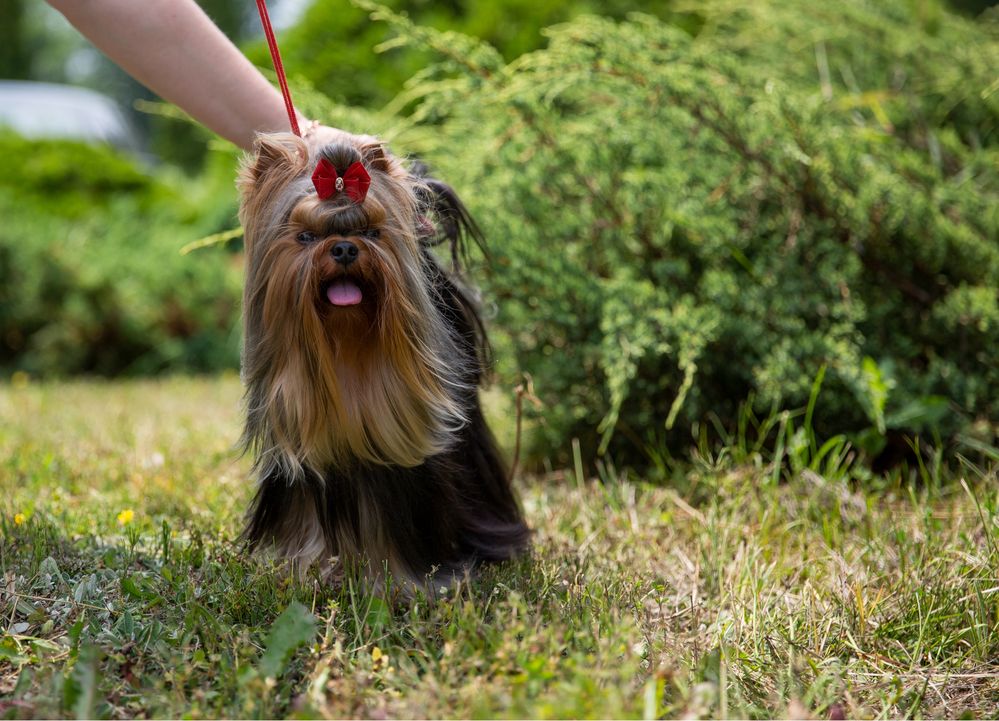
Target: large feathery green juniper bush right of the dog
(684,218)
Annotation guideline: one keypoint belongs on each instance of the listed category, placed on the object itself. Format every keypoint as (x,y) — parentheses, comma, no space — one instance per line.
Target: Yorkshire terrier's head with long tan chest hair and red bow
(346,356)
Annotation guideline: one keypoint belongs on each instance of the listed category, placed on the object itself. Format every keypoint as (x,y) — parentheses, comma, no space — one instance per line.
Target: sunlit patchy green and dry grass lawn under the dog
(728,588)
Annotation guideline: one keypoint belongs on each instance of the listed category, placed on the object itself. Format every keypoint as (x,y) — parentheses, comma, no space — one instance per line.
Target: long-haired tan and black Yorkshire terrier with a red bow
(362,361)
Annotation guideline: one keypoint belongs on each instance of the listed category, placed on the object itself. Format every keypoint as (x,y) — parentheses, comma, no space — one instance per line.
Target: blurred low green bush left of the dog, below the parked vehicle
(94,281)
